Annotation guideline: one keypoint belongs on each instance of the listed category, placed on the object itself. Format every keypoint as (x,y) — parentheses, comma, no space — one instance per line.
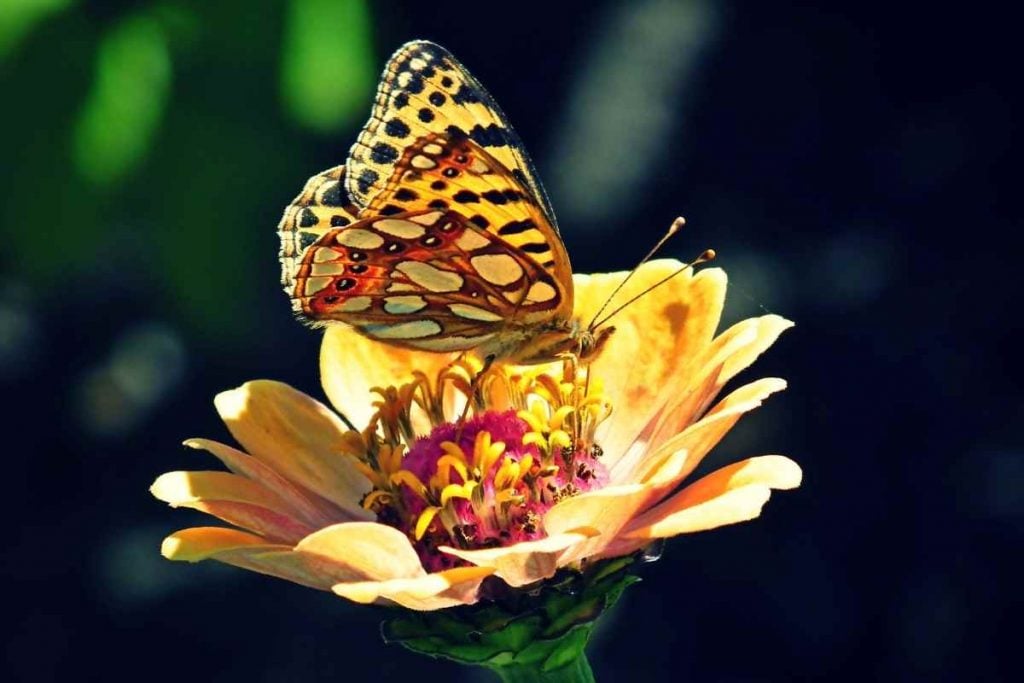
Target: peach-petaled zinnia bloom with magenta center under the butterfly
(416,499)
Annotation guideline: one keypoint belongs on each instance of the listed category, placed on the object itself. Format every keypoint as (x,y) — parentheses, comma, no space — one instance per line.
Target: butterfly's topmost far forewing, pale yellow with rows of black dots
(425,92)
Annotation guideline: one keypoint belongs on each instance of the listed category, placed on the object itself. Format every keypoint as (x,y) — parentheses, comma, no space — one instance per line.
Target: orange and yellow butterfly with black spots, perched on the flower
(437,235)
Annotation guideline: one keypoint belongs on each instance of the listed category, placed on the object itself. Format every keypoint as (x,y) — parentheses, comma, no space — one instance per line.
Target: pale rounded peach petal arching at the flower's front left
(375,551)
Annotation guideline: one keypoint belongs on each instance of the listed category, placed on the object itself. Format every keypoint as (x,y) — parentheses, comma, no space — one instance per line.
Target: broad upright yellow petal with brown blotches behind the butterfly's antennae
(654,337)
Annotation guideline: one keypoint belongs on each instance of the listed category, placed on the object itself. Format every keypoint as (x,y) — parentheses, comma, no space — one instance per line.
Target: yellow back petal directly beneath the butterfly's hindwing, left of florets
(353,365)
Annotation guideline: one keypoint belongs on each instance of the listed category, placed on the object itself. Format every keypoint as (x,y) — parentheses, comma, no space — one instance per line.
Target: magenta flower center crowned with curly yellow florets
(487,474)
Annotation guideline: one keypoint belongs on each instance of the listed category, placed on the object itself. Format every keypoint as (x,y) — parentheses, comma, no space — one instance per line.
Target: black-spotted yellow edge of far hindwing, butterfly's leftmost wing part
(322,206)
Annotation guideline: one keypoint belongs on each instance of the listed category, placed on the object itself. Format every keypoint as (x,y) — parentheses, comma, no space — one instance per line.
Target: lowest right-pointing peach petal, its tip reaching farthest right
(728,496)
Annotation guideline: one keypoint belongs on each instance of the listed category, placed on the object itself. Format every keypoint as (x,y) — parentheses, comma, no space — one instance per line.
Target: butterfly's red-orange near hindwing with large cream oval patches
(428,280)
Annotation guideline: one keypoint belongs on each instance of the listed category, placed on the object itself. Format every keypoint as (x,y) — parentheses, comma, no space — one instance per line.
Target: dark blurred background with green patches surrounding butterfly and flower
(852,166)
